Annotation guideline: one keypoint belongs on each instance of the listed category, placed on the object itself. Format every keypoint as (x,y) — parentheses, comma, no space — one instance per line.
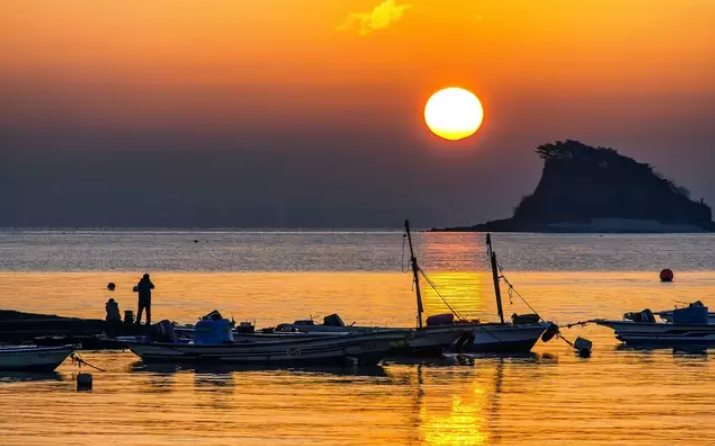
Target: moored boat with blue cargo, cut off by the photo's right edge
(688,327)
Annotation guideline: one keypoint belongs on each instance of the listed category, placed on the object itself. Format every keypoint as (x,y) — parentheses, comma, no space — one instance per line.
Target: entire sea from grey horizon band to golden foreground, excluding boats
(552,397)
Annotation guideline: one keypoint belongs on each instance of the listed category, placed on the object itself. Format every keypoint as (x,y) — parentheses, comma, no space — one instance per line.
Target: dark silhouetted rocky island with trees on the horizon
(595,189)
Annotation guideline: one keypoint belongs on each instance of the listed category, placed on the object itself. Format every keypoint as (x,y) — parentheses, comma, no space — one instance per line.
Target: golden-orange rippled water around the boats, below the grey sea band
(551,398)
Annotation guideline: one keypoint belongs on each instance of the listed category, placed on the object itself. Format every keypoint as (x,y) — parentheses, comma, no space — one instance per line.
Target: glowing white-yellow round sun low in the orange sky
(454,113)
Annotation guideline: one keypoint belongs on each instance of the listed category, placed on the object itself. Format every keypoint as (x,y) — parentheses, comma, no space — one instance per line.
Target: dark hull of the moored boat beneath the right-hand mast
(505,338)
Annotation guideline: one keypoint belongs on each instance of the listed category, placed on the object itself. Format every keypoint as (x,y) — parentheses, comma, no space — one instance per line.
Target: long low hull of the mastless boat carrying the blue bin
(366,349)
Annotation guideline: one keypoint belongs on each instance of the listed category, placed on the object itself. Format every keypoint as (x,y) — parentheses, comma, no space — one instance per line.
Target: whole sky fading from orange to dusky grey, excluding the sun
(247,113)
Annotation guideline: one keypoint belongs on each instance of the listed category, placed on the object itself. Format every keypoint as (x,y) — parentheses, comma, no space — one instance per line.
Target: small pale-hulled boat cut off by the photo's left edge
(33,358)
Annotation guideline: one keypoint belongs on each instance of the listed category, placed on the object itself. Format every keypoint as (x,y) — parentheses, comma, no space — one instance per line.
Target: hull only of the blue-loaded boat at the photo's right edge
(663,335)
